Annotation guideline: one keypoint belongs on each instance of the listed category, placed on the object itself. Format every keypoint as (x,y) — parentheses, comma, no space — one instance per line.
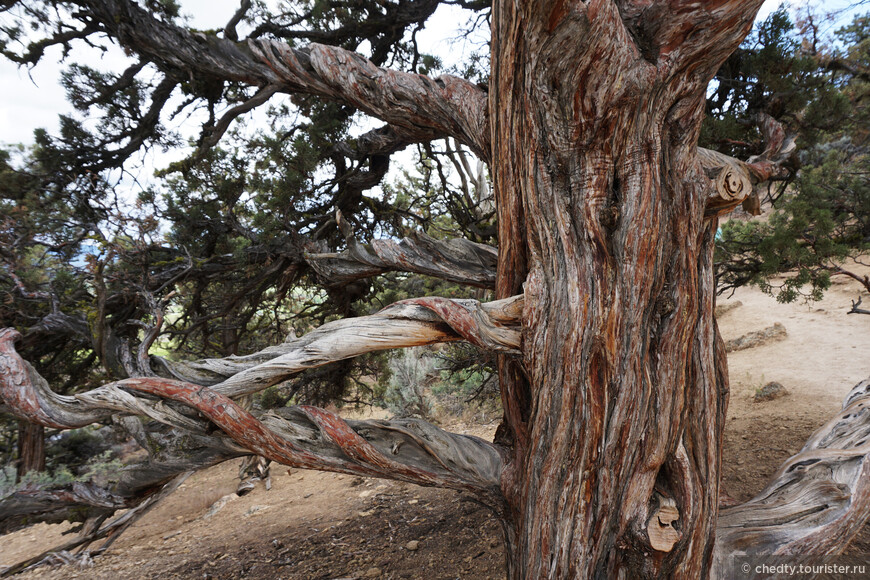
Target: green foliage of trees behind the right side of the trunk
(821,214)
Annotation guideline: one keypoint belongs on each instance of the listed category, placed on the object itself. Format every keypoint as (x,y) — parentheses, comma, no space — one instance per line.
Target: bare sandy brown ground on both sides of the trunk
(318,525)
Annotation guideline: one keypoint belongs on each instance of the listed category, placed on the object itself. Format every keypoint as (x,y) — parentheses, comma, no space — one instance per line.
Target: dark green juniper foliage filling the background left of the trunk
(214,244)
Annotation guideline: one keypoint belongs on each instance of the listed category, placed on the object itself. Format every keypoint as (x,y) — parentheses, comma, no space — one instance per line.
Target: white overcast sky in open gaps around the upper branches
(30,99)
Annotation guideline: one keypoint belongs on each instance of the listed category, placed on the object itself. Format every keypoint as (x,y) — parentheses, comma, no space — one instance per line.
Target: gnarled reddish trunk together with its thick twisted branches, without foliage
(615,389)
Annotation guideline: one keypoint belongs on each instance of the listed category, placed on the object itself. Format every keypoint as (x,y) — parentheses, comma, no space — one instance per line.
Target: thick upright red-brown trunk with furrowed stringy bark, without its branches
(616,423)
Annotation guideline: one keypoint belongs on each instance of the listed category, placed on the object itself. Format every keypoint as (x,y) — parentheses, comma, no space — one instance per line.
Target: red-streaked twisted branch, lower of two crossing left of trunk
(312,438)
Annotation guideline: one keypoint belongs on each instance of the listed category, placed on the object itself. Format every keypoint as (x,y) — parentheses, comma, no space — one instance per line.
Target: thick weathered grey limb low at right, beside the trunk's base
(817,501)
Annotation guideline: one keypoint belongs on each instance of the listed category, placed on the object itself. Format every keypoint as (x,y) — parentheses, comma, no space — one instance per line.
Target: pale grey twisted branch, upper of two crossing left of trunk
(494,326)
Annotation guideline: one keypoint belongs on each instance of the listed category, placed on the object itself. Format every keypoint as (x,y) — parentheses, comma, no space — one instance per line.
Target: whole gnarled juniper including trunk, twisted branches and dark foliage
(611,370)
